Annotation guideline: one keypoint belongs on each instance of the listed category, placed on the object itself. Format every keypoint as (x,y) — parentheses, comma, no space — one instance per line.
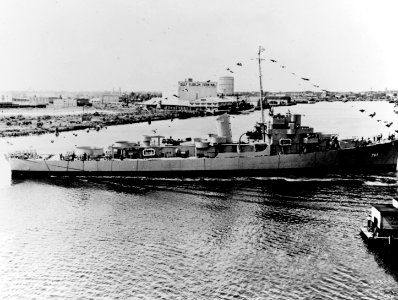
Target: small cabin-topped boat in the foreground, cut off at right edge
(382,225)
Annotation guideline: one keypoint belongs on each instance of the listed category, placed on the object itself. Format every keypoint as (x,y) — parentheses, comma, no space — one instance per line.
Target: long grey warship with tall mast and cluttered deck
(281,145)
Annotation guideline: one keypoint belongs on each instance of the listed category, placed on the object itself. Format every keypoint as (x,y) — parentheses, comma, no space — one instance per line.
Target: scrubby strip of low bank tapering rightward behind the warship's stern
(26,125)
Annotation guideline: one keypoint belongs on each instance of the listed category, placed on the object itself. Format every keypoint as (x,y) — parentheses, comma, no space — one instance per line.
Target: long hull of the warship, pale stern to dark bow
(377,157)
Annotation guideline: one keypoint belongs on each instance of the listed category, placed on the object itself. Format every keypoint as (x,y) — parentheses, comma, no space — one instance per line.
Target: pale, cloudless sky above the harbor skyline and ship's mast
(134,45)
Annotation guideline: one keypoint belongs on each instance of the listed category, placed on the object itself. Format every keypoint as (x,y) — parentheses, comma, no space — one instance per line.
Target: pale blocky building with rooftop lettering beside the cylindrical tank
(192,90)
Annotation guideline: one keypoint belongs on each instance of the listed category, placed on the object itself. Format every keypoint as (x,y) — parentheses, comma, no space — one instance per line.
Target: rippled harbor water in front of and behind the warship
(203,238)
